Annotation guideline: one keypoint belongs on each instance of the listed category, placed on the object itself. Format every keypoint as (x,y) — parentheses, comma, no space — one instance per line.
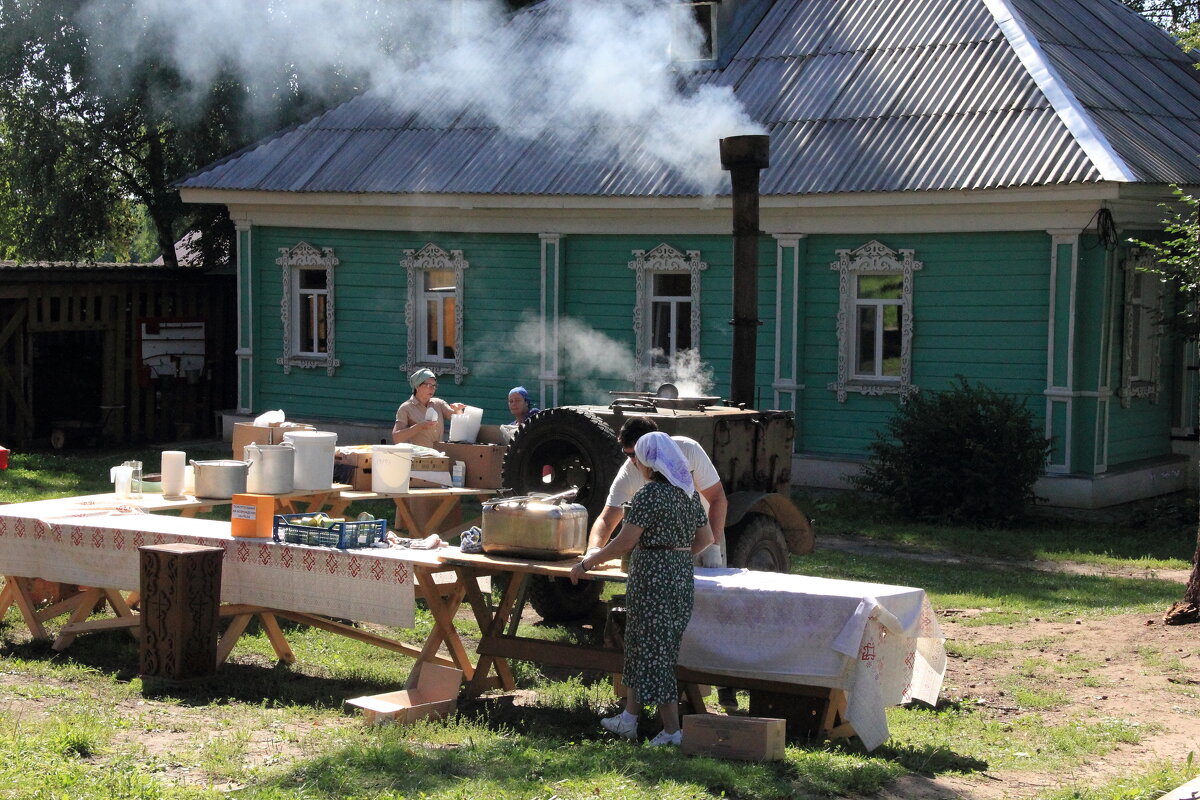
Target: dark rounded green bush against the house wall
(969,455)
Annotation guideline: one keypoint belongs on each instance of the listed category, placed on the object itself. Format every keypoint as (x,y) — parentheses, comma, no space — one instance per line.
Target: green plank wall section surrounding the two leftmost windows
(371,288)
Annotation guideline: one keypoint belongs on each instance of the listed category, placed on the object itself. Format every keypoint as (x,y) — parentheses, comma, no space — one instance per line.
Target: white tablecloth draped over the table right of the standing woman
(880,645)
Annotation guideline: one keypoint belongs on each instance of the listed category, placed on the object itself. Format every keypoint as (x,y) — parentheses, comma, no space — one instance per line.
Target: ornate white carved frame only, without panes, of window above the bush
(873,258)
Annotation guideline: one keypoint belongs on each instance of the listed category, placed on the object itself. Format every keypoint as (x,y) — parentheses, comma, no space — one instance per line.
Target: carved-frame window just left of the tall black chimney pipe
(667,312)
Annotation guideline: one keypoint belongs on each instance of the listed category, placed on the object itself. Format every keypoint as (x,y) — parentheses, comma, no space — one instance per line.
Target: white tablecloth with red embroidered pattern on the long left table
(97,545)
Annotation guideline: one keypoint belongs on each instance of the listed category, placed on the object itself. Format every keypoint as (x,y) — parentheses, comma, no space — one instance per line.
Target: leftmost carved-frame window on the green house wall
(307,310)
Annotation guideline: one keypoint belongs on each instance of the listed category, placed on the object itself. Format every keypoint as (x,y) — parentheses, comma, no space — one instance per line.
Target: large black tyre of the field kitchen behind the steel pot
(561,448)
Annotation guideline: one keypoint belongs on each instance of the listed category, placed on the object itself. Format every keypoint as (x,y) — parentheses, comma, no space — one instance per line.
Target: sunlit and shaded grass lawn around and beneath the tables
(82,725)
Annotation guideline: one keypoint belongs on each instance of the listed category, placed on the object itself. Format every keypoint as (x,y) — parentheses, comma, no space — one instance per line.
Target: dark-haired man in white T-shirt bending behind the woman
(629,480)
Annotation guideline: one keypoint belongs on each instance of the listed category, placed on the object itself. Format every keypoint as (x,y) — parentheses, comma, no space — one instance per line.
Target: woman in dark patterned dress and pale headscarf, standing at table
(663,528)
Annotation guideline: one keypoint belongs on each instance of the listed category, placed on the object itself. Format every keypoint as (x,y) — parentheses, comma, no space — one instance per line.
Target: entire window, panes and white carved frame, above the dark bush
(875,321)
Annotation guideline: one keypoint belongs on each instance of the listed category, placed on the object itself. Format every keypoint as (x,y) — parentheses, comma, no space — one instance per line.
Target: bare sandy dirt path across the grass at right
(1137,670)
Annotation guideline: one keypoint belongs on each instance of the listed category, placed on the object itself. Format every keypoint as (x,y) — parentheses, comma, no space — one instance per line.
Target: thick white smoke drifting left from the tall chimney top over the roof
(605,80)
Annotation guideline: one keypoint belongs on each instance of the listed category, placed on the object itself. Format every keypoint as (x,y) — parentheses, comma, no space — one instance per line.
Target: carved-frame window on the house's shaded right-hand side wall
(1143,328)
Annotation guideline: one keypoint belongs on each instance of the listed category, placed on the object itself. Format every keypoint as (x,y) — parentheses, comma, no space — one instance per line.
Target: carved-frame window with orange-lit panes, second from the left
(434,311)
